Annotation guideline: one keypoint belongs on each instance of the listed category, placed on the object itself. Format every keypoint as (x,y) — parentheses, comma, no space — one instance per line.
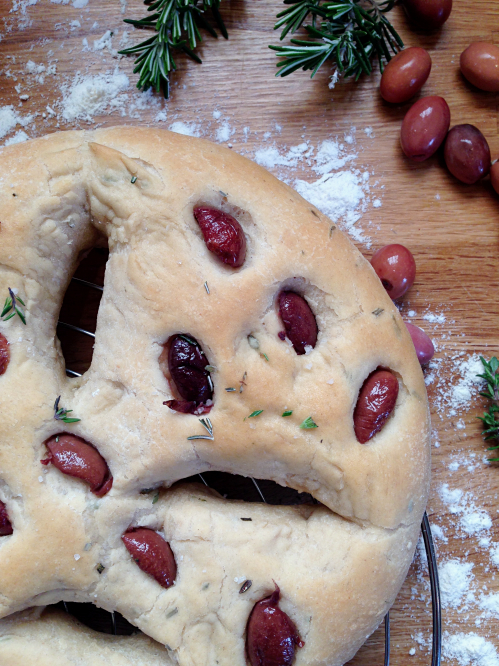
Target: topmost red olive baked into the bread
(222,234)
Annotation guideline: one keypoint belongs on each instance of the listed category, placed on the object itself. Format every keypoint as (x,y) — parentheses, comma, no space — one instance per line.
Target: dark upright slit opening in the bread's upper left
(79,309)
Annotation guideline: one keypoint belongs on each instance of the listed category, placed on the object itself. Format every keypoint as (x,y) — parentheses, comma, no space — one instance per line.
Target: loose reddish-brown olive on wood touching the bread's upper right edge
(395,266)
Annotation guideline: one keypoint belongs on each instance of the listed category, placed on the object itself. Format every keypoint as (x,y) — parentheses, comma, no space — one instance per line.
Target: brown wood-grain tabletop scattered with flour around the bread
(452,229)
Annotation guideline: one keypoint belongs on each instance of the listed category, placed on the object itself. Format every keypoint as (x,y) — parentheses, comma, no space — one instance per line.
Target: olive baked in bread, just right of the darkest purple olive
(298,320)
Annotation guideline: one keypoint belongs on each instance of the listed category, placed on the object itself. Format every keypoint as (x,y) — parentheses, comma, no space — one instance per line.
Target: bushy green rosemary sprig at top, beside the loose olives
(349,33)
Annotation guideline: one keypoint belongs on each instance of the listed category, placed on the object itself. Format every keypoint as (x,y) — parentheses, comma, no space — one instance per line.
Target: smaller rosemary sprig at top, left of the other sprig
(176,24)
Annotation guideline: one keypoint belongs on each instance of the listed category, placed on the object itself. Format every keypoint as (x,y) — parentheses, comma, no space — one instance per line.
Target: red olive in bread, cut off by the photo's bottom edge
(271,636)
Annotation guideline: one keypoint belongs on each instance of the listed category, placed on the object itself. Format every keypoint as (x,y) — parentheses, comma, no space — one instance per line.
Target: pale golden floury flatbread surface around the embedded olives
(339,564)
